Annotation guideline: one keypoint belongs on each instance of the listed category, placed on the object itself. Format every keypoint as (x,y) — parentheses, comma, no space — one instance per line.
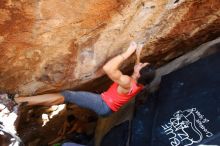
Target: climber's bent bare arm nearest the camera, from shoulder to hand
(111,68)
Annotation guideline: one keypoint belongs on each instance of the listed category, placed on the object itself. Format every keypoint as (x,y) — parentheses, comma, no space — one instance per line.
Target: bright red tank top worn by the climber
(115,100)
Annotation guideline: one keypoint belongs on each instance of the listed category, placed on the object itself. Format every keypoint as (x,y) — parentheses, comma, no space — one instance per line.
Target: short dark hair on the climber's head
(147,74)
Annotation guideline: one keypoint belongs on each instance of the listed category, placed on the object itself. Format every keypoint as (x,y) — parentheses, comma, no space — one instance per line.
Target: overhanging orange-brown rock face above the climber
(53,45)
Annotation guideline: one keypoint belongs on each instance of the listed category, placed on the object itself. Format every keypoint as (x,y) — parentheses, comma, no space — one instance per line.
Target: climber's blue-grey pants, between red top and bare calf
(87,100)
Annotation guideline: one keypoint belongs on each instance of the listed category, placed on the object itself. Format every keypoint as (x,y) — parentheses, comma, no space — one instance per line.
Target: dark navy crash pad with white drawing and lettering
(187,108)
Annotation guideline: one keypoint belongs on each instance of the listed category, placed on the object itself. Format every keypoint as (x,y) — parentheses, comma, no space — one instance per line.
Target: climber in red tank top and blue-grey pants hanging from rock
(120,92)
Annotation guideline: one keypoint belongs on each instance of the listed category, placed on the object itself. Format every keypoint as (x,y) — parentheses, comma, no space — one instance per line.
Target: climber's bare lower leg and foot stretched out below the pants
(45,100)
